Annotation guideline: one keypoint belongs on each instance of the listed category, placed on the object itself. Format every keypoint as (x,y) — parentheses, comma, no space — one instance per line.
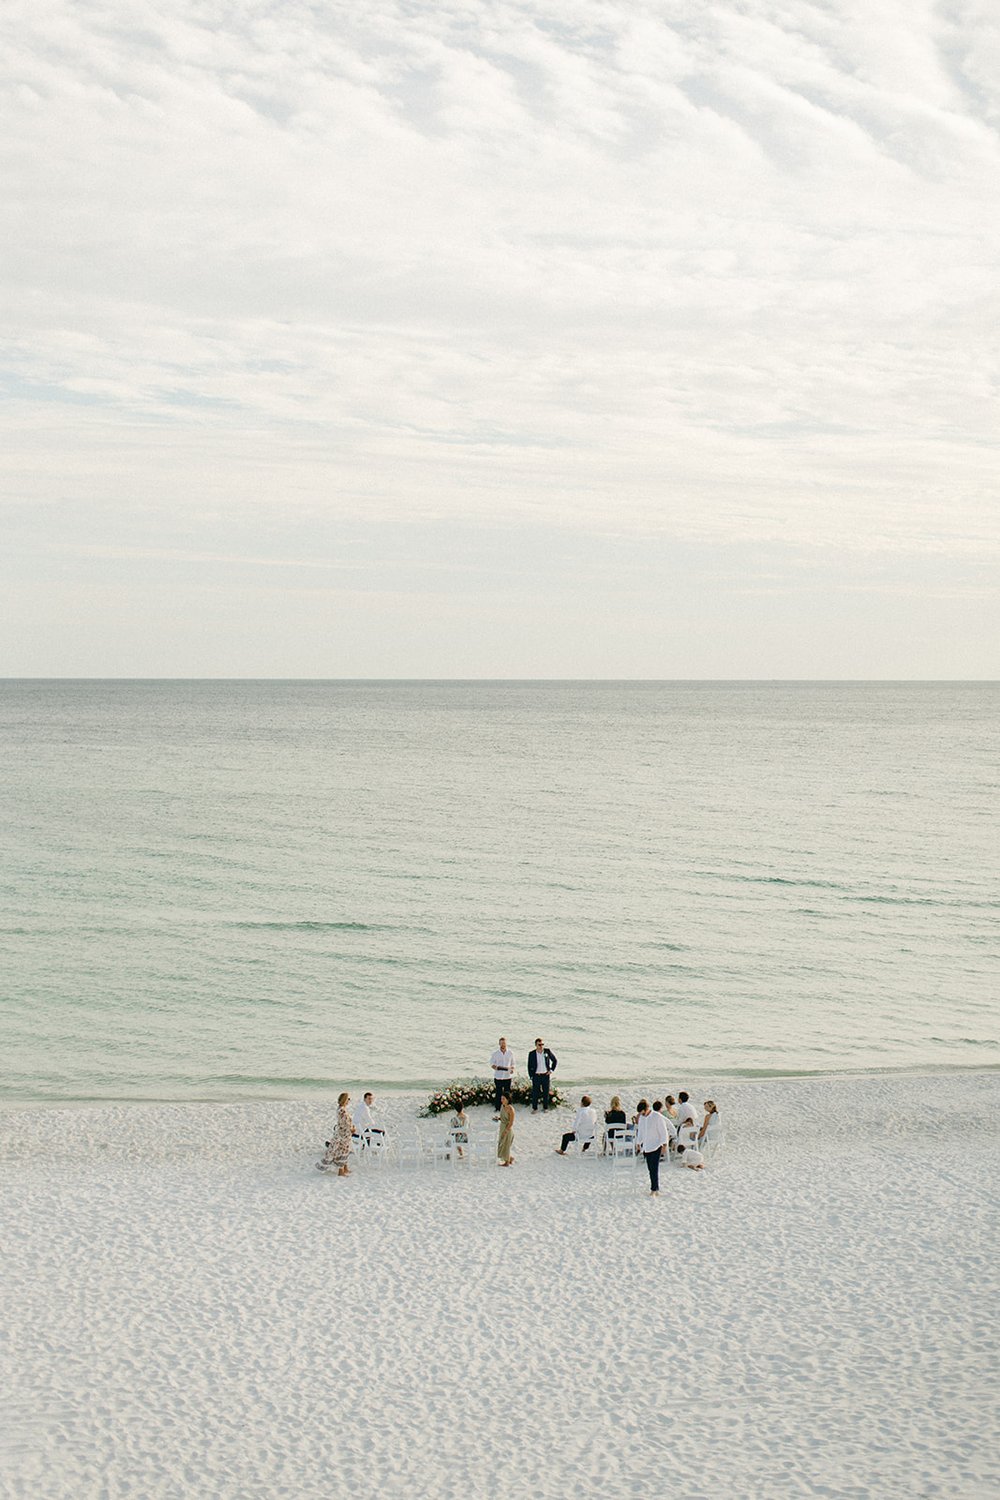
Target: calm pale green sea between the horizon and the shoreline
(221,890)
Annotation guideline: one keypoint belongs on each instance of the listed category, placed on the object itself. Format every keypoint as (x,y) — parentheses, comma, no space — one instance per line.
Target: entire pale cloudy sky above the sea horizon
(494,338)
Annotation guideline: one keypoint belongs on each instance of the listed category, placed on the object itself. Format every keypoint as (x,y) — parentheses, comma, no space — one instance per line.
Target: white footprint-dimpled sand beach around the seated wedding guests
(191,1310)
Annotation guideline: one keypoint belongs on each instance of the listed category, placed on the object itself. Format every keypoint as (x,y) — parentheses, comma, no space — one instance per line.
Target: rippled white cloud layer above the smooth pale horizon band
(717,272)
